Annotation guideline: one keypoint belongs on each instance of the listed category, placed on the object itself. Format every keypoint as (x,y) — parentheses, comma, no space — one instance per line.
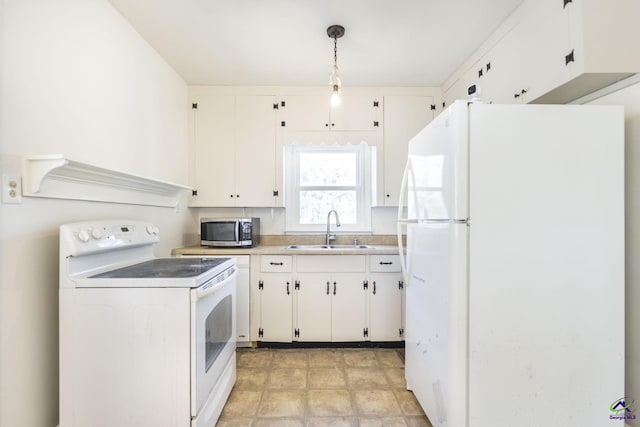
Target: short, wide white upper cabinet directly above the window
(301,113)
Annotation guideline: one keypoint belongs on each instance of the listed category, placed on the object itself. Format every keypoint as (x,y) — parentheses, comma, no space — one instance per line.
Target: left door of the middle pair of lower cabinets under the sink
(314,307)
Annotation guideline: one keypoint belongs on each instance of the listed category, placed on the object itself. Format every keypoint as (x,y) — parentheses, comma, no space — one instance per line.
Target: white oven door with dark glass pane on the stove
(213,335)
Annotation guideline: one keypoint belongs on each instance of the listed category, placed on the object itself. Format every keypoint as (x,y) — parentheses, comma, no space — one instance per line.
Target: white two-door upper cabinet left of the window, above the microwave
(234,151)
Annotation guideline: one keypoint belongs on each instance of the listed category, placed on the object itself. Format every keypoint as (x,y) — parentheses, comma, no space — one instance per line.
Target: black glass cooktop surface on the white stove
(164,268)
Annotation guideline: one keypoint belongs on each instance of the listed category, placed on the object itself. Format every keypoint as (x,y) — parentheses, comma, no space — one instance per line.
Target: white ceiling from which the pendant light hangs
(284,42)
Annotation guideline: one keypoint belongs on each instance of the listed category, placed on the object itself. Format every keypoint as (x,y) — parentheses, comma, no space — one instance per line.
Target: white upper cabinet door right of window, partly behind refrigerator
(404,117)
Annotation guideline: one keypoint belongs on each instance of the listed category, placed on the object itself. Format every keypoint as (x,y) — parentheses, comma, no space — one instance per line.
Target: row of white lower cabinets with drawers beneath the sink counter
(328,298)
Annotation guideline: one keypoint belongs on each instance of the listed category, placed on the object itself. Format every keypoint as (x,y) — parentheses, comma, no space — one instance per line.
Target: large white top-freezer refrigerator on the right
(515,266)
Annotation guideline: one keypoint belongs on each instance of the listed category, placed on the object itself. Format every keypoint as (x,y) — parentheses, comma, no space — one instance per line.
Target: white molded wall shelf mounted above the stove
(54,176)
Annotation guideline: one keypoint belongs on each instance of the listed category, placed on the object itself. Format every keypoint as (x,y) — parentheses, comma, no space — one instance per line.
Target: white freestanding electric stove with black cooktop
(144,341)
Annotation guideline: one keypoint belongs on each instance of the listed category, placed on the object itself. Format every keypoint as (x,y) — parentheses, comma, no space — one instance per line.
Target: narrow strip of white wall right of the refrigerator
(630,97)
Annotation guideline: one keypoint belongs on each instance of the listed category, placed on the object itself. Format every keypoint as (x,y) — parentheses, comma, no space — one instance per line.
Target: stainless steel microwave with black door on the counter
(229,232)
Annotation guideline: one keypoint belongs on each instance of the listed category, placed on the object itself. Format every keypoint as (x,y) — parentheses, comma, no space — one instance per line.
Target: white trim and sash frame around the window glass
(365,182)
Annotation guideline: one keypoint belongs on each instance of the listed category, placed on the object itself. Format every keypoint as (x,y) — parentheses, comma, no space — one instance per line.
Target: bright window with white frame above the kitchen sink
(320,178)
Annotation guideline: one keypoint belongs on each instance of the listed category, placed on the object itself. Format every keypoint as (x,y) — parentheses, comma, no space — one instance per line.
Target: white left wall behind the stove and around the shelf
(77,80)
